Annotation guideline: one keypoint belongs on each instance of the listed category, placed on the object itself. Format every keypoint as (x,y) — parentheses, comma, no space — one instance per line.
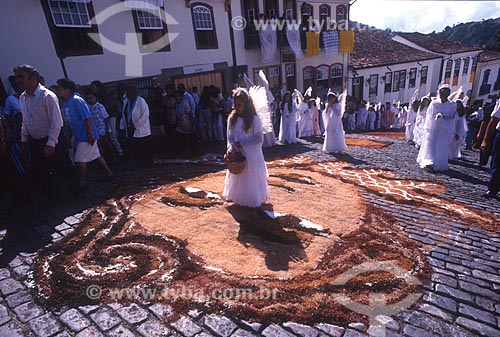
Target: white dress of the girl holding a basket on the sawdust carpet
(249,188)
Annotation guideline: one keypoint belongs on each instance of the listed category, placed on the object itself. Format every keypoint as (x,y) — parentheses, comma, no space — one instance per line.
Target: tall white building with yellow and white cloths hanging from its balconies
(285,67)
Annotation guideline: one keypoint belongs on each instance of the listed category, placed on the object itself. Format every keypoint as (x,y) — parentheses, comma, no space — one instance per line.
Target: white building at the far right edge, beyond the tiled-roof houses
(487,81)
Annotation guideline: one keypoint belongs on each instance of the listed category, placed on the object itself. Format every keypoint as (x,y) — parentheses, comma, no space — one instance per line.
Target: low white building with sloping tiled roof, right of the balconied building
(383,70)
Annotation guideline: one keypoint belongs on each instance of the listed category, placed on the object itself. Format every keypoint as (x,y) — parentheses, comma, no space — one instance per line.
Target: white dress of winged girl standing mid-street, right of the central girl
(334,132)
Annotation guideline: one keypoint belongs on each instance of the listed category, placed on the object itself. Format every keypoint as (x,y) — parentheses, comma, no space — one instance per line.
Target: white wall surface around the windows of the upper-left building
(33,43)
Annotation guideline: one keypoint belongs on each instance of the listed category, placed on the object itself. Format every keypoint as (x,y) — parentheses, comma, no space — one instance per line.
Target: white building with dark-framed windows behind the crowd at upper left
(55,37)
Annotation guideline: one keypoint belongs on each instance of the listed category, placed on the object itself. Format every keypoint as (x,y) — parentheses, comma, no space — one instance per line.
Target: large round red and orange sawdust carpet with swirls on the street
(161,239)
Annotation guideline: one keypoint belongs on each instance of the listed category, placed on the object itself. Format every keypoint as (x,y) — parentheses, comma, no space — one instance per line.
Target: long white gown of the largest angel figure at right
(438,135)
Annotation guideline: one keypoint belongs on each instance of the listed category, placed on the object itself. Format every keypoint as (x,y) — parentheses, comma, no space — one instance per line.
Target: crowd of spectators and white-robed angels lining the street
(60,129)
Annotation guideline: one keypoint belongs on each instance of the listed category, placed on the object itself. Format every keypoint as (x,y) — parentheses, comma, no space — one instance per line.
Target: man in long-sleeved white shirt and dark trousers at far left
(40,130)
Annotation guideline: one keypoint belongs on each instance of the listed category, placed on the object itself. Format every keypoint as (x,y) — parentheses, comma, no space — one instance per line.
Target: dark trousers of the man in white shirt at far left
(44,169)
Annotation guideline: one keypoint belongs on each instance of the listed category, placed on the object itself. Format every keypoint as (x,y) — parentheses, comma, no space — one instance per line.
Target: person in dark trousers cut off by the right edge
(492,138)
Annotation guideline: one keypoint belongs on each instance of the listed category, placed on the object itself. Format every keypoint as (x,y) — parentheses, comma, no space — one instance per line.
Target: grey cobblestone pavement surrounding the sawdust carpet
(463,299)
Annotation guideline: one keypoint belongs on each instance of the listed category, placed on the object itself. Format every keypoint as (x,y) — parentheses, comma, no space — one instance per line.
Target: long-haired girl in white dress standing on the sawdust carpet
(245,135)
